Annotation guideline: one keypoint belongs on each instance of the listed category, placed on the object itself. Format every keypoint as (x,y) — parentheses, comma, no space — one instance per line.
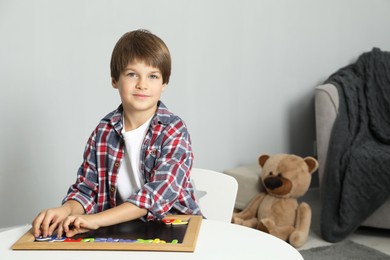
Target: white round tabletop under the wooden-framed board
(216,240)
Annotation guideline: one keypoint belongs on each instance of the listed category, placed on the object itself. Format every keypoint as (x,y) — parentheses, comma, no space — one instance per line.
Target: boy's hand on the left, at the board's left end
(48,220)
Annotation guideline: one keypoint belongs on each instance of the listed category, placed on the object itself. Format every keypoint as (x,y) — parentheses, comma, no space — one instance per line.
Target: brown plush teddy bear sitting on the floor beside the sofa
(277,211)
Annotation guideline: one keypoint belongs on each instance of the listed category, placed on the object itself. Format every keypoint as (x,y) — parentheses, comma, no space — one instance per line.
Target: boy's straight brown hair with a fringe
(143,46)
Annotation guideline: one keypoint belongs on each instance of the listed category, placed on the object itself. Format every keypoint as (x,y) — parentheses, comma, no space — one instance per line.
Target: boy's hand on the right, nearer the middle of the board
(78,224)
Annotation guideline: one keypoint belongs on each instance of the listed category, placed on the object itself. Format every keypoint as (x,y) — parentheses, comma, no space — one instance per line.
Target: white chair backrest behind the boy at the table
(215,192)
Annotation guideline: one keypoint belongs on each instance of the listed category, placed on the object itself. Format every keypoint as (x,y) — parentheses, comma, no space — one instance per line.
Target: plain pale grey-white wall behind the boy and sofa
(243,79)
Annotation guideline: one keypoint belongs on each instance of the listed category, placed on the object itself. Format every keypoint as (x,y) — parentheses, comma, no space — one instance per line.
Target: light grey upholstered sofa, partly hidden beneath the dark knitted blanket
(326,109)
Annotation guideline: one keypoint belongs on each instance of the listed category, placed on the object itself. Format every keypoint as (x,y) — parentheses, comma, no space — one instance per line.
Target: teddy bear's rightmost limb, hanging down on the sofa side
(302,225)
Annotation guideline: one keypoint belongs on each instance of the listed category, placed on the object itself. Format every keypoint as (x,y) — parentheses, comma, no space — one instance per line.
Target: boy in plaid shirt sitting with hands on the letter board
(138,159)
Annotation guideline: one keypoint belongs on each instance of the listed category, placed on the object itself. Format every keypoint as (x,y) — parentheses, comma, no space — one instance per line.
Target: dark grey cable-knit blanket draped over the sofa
(357,171)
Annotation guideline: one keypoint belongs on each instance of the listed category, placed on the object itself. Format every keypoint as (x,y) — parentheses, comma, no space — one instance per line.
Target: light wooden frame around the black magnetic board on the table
(27,241)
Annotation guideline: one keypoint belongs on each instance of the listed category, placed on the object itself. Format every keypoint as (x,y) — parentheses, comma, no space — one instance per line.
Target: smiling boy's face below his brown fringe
(140,87)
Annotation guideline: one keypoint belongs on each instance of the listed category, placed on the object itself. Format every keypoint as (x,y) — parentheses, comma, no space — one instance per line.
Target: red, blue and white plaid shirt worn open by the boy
(166,161)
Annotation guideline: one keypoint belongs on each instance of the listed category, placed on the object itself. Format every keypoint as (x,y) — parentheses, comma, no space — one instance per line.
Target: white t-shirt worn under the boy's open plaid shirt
(130,179)
